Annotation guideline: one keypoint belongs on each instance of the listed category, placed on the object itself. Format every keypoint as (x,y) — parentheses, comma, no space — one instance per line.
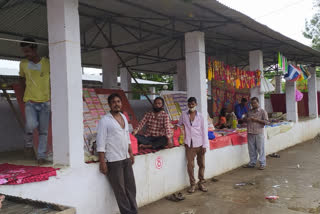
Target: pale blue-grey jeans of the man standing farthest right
(256,147)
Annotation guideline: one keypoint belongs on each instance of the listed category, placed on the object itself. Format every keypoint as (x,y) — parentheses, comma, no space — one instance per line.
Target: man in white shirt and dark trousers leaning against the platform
(115,155)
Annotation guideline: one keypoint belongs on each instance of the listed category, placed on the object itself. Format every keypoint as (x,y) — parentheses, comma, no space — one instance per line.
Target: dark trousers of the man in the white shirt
(121,177)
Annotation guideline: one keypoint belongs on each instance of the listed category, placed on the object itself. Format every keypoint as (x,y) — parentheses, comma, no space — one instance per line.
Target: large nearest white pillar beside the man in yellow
(66,82)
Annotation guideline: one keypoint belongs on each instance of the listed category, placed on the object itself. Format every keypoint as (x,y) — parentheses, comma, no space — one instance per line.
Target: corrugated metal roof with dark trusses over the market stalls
(154,30)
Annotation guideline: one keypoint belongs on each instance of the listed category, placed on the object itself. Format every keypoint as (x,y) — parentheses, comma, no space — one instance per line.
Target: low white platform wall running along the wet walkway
(87,190)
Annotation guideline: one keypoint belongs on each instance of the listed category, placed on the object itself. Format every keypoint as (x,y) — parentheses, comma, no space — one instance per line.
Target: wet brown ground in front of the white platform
(294,177)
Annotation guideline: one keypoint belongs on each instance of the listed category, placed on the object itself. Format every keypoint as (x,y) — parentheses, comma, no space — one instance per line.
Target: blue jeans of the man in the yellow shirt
(37,116)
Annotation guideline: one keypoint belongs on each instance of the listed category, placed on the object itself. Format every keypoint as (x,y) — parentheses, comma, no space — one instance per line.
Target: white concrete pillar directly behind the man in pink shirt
(196,69)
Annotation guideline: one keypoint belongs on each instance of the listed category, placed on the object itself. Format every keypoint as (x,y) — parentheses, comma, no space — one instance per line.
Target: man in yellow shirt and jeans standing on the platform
(35,71)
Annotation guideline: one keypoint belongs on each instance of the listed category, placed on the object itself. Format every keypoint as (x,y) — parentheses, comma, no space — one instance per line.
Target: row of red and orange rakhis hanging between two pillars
(237,78)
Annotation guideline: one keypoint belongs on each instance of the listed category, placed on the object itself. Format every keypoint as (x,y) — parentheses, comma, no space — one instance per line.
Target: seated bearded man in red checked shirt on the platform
(158,133)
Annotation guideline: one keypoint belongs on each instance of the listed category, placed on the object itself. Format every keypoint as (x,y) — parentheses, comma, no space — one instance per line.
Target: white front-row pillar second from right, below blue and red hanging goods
(291,104)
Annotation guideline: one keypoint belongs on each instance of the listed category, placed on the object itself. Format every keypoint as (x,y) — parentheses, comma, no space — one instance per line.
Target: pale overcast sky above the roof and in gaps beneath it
(285,16)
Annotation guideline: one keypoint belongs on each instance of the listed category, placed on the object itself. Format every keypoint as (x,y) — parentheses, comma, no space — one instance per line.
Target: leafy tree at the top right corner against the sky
(312,27)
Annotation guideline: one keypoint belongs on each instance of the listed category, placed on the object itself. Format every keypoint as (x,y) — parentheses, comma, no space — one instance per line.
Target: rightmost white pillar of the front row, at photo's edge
(312,94)
